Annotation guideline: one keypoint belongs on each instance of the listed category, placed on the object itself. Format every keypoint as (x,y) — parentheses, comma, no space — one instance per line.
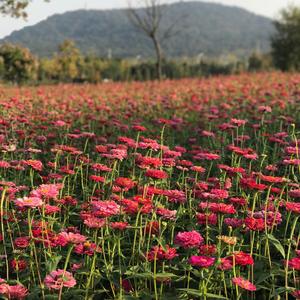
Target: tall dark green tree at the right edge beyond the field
(286,40)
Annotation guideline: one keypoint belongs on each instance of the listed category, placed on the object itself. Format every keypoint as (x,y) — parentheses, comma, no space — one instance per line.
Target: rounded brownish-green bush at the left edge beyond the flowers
(18,64)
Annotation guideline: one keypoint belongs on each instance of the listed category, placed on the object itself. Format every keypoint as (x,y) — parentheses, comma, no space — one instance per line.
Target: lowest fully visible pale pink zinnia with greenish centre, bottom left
(58,279)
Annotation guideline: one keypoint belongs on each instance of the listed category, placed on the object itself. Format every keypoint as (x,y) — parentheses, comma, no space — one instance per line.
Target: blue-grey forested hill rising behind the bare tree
(209,28)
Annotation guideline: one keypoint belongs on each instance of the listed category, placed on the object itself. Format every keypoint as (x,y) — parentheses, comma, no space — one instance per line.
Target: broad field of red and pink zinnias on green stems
(183,189)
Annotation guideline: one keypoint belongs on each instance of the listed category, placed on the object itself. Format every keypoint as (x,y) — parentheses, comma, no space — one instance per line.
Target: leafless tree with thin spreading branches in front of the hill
(148,18)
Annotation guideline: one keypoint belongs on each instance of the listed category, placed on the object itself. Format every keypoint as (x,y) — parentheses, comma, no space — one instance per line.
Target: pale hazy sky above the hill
(38,10)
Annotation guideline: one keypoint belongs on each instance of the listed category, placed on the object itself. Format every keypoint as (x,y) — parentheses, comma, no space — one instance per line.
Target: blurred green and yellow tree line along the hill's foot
(19,66)
